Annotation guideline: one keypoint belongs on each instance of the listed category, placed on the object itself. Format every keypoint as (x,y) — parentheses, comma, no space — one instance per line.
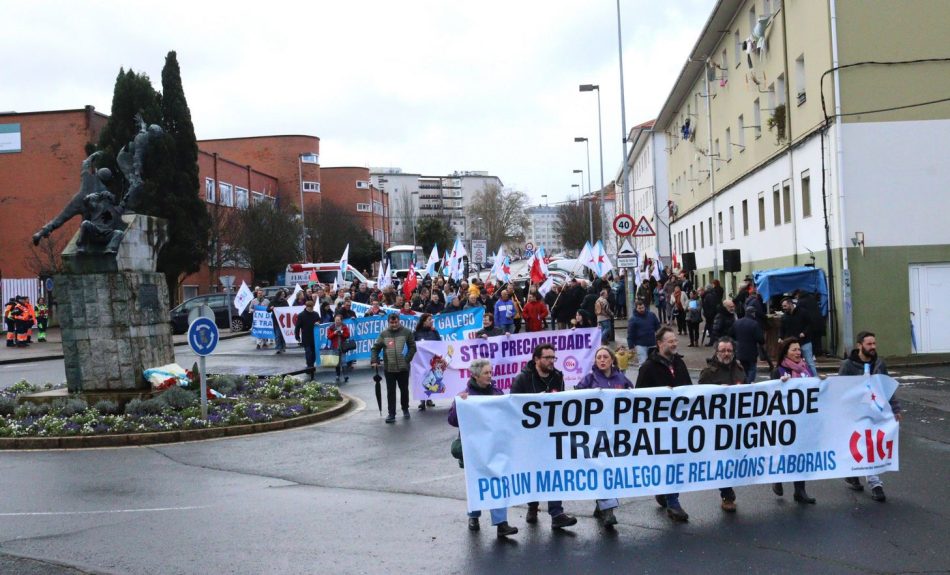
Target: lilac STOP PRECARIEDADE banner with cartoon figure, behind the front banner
(440,368)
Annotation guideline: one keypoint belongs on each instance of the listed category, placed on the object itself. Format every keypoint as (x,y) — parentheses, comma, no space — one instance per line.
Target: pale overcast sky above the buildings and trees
(426,86)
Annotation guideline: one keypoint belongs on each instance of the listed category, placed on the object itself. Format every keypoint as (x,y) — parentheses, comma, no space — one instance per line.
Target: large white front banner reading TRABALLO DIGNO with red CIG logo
(596,444)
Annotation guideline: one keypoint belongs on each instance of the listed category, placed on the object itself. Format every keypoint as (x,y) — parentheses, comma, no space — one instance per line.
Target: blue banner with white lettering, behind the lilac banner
(364,331)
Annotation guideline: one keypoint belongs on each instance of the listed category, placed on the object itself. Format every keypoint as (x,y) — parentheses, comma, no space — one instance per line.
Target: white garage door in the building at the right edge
(930,307)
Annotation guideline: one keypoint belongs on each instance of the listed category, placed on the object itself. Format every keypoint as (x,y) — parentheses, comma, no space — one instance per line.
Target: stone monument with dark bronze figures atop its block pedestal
(112,304)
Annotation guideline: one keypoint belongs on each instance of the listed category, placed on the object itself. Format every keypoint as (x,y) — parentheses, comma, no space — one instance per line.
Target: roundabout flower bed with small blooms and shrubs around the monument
(247,401)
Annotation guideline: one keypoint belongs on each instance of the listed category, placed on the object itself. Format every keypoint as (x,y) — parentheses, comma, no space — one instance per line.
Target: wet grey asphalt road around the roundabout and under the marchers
(358,496)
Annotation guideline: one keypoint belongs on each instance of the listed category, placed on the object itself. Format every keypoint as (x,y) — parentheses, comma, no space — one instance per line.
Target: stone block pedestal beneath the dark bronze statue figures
(115,323)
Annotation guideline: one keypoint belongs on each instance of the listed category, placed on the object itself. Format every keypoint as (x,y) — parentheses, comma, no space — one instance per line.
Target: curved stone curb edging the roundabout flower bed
(157,437)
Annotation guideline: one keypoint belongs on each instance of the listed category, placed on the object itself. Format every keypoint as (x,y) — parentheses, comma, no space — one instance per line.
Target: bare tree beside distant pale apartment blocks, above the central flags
(502,214)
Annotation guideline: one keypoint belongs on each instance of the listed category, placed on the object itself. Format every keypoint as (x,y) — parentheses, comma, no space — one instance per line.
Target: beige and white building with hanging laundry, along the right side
(787,142)
